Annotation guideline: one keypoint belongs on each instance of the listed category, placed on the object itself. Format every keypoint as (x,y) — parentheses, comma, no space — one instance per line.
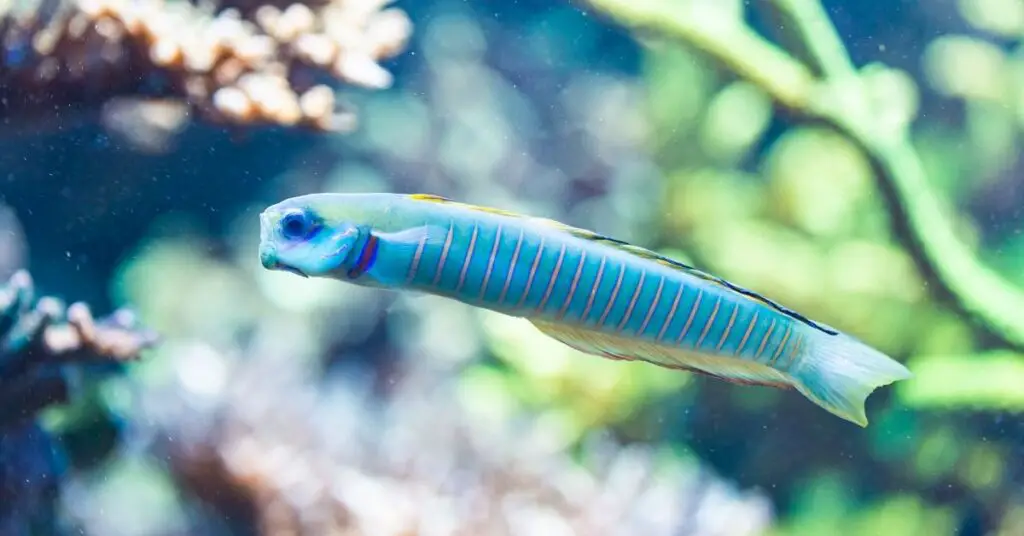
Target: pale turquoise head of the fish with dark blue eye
(306,237)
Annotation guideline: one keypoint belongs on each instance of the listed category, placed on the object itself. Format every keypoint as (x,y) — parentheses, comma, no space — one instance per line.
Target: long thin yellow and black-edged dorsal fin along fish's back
(637,252)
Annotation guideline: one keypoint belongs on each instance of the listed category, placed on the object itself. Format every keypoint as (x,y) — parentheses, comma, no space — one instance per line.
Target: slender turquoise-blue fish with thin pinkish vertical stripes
(595,294)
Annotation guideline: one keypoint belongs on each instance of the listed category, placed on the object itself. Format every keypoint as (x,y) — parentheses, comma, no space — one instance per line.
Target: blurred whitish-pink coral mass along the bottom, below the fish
(336,457)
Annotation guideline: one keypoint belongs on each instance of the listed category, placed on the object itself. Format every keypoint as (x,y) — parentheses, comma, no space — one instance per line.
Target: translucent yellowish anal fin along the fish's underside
(624,349)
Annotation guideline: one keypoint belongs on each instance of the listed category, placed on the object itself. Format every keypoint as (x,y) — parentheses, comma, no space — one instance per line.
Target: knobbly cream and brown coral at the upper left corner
(150,64)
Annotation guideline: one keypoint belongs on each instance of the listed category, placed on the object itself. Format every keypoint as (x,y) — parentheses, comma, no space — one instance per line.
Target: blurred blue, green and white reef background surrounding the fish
(134,169)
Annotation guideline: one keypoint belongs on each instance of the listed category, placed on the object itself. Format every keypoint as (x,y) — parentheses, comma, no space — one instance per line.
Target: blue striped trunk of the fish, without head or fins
(522,268)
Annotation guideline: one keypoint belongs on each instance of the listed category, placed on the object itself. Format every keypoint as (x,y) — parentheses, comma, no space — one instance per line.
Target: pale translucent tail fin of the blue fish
(838,373)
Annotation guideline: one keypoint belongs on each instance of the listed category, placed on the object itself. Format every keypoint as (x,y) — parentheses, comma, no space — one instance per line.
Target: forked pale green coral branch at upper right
(841,99)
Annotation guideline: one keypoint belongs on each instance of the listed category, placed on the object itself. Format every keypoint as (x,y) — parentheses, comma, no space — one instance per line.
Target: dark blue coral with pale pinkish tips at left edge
(40,345)
